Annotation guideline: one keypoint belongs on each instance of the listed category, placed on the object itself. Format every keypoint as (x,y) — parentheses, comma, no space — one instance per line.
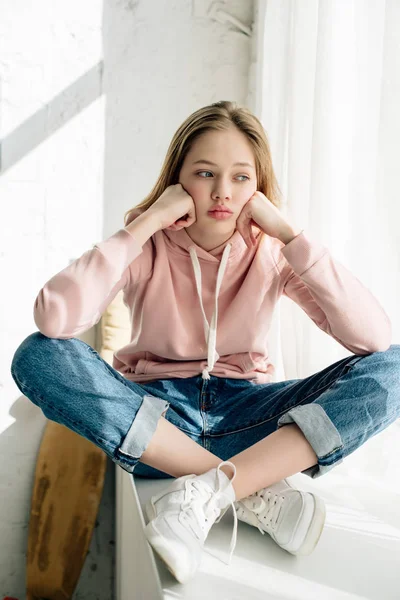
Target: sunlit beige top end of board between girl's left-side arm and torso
(114,328)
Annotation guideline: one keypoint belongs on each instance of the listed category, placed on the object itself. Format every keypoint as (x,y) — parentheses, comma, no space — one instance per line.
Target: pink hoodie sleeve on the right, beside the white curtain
(333,298)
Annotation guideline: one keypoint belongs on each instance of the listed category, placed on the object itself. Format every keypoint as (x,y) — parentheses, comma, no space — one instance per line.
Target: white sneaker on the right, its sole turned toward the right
(294,519)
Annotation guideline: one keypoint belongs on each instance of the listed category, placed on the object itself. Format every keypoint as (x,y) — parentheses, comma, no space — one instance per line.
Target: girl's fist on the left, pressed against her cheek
(174,209)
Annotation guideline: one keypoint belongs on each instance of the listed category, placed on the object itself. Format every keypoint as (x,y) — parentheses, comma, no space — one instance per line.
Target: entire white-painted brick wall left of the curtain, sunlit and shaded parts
(91,94)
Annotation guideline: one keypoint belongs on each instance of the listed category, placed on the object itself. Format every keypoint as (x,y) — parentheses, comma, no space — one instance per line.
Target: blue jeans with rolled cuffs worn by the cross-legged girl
(337,409)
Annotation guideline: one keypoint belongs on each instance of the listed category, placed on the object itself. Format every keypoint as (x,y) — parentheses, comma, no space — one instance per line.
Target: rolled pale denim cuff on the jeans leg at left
(140,433)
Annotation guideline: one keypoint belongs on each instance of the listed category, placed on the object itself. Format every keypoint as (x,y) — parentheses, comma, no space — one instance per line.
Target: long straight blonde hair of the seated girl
(218,116)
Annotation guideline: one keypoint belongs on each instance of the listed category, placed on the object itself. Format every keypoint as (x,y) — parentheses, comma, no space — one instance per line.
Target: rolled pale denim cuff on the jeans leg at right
(321,433)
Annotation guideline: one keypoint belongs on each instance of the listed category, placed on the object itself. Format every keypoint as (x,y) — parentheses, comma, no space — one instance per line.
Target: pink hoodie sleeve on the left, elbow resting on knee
(74,299)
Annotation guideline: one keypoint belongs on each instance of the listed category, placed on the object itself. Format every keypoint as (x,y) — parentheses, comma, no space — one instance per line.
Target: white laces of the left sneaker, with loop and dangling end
(203,501)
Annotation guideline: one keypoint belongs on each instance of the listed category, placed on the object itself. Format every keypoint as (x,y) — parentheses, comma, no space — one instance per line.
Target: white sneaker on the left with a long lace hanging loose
(181,517)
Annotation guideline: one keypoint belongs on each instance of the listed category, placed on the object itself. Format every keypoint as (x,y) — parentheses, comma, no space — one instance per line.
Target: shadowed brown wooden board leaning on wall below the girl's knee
(68,485)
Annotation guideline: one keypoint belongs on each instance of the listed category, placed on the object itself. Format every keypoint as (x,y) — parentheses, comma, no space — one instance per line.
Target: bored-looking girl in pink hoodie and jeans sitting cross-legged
(202,262)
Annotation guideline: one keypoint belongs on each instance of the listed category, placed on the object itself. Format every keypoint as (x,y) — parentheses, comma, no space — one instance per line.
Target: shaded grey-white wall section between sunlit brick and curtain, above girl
(167,63)
